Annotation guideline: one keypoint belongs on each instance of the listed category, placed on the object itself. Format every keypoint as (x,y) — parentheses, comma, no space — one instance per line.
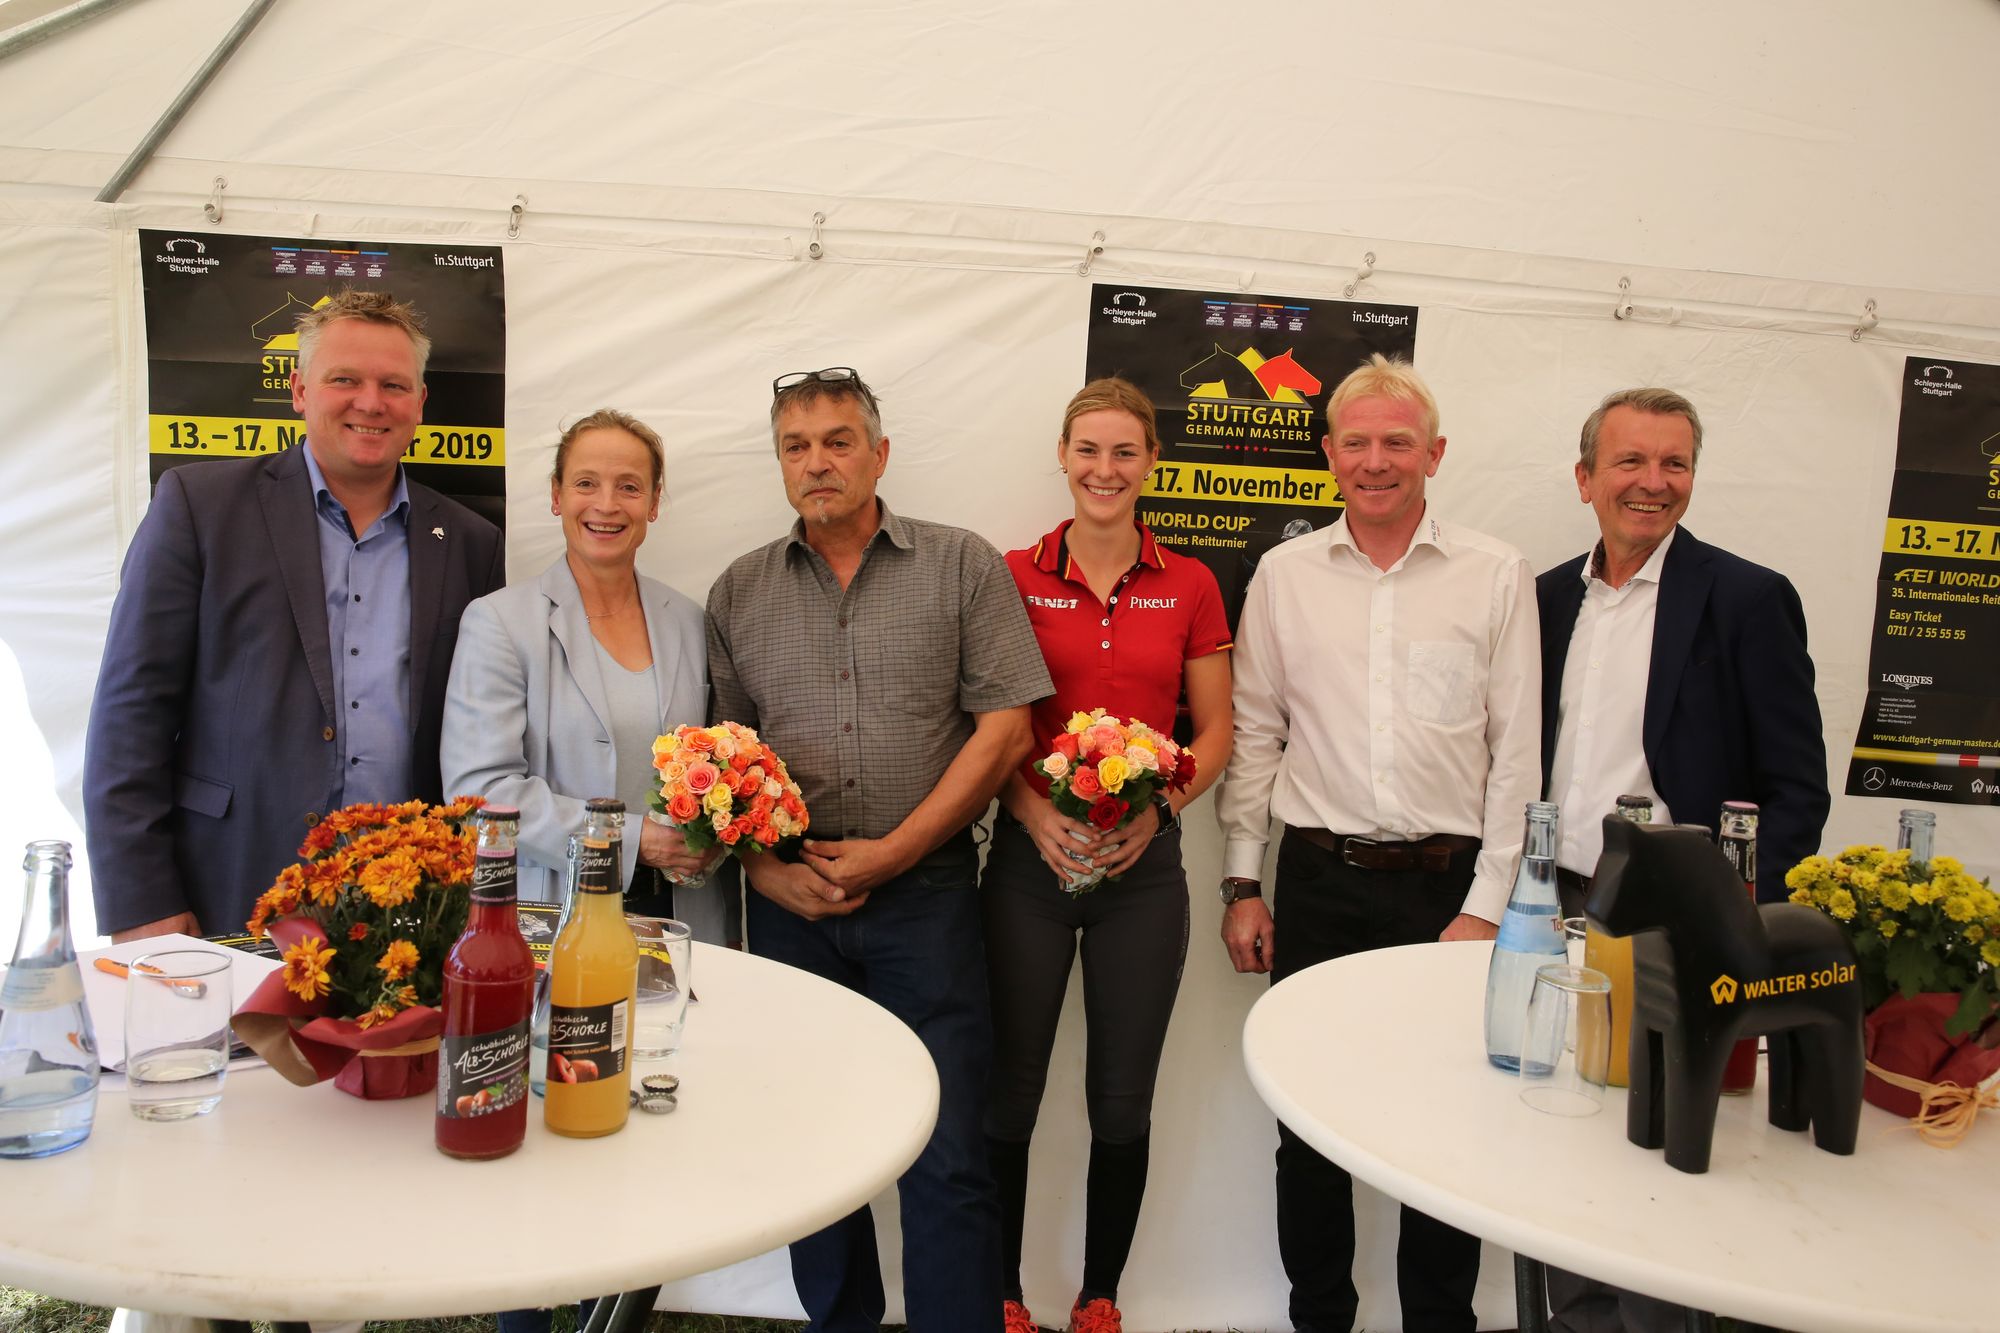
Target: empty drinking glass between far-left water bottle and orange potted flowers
(177,1034)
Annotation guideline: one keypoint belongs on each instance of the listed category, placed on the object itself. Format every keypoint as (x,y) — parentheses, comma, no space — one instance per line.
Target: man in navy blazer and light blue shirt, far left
(281,639)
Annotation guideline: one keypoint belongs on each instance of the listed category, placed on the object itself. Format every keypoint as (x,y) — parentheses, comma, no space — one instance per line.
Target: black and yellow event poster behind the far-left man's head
(221,347)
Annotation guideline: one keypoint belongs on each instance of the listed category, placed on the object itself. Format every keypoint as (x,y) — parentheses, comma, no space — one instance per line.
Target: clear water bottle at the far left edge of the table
(49,1054)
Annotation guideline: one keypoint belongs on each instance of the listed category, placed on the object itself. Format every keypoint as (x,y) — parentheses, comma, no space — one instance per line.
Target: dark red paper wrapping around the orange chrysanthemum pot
(307,1048)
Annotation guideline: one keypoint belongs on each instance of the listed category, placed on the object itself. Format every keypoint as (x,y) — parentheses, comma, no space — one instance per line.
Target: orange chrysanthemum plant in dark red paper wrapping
(363,924)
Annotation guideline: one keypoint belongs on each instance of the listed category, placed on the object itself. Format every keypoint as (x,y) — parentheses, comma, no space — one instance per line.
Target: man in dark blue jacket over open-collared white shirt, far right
(1669,670)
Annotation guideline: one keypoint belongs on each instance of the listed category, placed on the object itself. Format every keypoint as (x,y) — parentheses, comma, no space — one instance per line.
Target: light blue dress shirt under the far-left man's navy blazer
(369,631)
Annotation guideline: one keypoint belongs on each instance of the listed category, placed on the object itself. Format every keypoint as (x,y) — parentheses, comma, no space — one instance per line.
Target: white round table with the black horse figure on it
(1379,1062)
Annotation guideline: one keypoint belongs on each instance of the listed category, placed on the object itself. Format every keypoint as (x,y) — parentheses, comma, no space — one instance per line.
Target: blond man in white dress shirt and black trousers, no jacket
(1389,714)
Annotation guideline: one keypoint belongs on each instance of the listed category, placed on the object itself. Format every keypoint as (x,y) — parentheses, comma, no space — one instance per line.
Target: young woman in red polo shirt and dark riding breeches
(1127,627)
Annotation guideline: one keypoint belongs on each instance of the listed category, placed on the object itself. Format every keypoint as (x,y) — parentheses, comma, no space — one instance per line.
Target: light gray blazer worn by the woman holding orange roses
(527,722)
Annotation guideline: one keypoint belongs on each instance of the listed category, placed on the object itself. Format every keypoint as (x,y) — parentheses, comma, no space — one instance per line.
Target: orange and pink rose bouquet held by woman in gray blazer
(723,786)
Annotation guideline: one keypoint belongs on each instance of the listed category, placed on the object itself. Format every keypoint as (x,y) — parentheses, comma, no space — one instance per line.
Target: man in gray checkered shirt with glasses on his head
(891,665)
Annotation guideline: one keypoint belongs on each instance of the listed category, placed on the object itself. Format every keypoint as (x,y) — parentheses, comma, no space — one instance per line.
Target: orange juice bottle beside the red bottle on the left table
(593,982)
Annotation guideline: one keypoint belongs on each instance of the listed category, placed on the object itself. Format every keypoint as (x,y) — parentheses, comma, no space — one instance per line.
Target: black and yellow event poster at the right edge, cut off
(1931,728)
